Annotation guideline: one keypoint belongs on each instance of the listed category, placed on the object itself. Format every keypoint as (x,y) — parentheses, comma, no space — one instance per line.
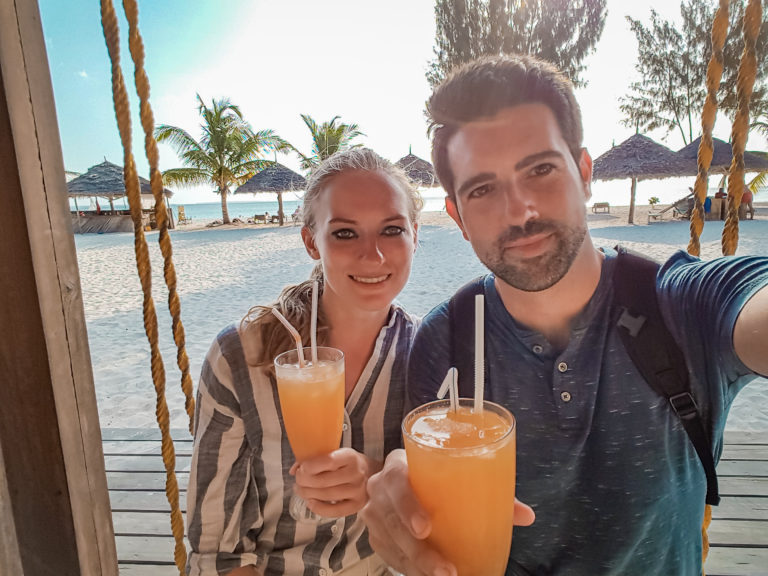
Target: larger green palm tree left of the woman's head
(227,155)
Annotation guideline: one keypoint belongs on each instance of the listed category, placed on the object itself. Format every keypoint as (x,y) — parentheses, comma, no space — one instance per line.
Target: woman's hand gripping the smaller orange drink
(335,485)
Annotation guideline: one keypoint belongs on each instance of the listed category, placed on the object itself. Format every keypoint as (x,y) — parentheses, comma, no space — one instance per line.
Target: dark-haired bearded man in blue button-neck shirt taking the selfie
(615,483)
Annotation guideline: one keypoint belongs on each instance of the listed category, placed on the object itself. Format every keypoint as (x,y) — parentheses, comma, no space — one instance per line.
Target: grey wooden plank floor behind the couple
(140,511)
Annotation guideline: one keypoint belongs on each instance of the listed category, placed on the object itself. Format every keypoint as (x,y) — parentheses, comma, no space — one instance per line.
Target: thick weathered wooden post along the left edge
(52,482)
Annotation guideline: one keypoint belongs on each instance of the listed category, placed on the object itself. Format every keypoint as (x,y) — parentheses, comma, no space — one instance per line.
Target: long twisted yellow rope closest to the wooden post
(122,112)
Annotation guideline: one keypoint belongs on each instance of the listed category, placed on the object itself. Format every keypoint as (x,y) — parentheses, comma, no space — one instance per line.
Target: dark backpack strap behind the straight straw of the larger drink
(461,311)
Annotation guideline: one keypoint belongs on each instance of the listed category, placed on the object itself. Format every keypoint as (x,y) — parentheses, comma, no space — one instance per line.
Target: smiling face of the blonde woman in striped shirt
(365,239)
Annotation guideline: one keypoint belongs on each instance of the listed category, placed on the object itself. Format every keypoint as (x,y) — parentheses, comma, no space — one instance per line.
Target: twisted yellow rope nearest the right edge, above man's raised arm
(753,16)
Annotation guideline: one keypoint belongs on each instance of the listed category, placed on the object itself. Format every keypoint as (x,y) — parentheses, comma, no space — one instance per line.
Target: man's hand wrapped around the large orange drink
(398,526)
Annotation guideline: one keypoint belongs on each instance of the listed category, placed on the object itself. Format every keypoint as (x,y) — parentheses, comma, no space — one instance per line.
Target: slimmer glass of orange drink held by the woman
(312,401)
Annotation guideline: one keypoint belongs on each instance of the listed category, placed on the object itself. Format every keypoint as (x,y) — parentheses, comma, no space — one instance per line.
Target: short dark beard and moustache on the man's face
(541,272)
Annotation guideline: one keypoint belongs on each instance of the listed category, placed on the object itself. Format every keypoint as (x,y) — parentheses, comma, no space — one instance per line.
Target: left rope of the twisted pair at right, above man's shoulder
(714,74)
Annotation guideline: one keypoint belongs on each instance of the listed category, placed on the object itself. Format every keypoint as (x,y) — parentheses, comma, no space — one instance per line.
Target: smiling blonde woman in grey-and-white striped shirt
(360,223)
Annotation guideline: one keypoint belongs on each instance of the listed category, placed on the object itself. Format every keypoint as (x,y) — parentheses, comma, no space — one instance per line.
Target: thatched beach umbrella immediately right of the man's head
(638,158)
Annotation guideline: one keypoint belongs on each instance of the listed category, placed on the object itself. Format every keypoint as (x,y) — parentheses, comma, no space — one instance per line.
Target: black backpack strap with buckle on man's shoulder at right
(656,354)
